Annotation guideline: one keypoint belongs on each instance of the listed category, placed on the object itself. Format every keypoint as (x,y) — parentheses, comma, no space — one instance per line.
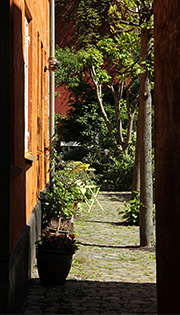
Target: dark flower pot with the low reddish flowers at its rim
(54,256)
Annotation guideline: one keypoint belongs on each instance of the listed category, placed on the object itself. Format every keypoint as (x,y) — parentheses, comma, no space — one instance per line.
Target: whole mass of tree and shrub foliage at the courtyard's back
(113,53)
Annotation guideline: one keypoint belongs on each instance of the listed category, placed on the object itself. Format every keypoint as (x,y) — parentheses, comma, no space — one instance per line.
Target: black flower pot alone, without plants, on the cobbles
(53,266)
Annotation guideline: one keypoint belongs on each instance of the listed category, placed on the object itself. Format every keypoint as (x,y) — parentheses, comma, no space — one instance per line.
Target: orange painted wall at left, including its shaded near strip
(33,175)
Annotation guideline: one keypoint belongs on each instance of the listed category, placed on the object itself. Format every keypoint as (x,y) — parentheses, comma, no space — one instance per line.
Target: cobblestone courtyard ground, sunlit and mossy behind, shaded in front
(110,273)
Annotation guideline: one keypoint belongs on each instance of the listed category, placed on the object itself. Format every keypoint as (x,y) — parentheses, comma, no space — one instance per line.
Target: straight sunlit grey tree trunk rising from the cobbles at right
(146,186)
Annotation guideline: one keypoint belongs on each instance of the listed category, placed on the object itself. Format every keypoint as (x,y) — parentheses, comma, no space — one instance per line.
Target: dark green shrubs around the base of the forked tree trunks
(90,131)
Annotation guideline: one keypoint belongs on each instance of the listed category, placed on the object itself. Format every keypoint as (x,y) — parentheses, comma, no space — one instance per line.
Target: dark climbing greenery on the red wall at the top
(90,18)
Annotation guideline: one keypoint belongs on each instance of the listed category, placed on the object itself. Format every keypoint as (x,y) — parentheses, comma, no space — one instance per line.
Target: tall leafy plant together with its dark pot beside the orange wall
(57,245)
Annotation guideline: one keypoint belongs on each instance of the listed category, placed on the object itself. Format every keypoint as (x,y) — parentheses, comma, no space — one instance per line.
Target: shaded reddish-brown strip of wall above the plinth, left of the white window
(18,182)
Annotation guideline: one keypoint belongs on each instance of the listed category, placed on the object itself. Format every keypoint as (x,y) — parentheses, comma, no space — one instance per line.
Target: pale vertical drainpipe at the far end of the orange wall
(52,86)
